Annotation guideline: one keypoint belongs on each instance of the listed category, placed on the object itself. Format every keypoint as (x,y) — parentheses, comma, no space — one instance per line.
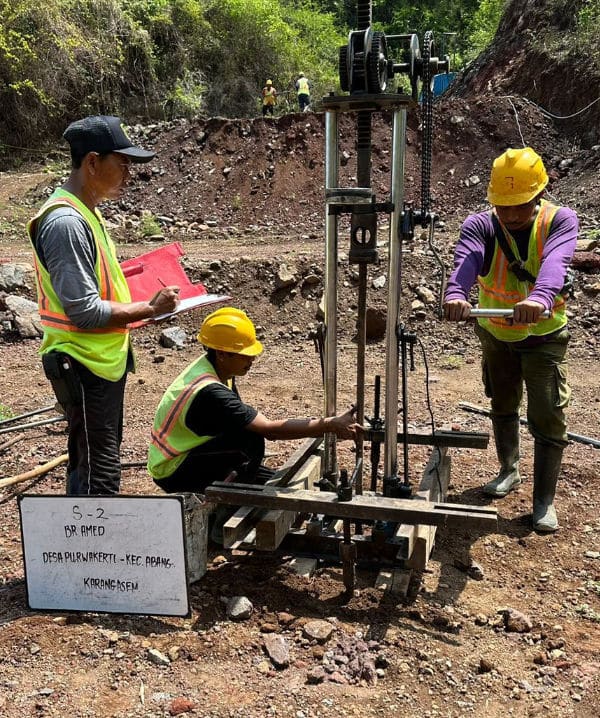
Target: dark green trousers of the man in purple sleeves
(542,368)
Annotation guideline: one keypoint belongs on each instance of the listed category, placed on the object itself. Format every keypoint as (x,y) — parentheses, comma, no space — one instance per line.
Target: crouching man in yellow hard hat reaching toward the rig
(203,431)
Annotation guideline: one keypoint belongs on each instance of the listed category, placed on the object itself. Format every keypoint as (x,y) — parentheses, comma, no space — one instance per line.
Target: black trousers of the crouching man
(241,452)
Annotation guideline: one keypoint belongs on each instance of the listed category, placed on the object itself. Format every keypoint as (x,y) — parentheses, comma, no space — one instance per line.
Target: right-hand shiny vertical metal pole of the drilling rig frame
(393,302)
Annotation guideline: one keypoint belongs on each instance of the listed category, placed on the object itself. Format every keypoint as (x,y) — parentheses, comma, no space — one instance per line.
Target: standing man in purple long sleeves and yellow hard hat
(519,254)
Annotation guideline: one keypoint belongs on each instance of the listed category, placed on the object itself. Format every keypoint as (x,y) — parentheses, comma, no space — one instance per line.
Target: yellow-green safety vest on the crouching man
(171,438)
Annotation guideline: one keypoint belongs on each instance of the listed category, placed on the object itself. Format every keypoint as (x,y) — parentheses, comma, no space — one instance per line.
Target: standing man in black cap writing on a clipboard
(84,302)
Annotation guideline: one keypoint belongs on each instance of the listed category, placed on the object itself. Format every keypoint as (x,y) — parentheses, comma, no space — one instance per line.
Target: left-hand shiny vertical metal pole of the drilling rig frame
(331,252)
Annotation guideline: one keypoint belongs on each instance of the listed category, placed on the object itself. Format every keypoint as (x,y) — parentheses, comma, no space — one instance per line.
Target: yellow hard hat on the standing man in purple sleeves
(517,177)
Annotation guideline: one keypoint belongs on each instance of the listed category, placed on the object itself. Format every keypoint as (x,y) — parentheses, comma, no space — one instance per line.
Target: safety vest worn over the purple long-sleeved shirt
(500,288)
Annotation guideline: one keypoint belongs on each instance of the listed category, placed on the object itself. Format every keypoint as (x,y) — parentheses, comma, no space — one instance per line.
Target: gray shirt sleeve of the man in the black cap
(66,247)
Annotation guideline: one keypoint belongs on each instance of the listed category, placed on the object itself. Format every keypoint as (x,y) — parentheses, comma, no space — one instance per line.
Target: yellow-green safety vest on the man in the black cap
(102,350)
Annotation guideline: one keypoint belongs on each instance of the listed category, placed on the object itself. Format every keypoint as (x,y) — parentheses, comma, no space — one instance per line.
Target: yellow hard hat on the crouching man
(230,330)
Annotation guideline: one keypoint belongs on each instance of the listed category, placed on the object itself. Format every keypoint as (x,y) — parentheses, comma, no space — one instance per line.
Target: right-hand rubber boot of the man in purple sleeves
(546,469)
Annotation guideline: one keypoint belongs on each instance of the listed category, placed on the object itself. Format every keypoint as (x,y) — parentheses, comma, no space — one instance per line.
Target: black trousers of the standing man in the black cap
(95,432)
